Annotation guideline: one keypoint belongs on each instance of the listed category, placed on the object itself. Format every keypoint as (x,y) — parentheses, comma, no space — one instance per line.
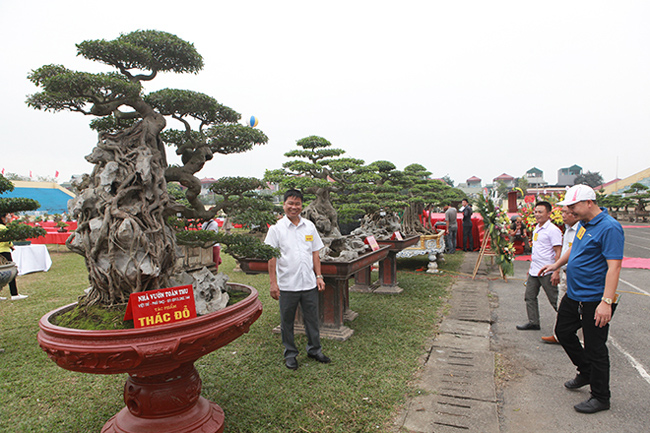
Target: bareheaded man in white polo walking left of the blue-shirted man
(547,245)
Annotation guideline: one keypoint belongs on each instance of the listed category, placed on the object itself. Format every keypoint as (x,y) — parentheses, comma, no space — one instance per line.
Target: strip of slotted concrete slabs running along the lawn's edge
(456,388)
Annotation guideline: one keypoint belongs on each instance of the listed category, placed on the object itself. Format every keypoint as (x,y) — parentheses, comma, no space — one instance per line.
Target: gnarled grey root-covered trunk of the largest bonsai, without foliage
(121,231)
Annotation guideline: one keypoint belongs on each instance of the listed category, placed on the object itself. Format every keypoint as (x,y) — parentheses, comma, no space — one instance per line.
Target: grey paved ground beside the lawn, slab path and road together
(480,374)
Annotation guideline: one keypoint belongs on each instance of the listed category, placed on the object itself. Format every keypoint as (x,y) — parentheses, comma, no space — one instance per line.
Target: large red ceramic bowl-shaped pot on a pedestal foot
(163,391)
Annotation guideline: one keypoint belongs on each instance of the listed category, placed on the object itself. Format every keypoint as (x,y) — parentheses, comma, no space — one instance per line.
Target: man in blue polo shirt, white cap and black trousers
(594,265)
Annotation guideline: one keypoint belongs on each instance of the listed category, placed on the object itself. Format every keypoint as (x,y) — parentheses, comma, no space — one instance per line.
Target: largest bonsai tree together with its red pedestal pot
(122,208)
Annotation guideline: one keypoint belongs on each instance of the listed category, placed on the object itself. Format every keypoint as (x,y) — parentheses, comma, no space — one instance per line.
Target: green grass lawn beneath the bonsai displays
(360,391)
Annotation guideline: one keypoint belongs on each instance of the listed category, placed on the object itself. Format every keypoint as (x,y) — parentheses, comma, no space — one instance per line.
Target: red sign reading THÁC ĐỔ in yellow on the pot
(160,307)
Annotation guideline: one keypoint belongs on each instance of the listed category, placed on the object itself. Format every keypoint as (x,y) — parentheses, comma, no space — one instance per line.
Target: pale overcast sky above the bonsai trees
(465,88)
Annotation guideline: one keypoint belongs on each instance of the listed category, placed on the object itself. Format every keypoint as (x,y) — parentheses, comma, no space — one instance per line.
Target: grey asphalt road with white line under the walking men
(532,395)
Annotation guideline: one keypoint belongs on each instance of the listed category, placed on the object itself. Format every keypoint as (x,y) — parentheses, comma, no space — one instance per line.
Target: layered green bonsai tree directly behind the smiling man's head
(318,171)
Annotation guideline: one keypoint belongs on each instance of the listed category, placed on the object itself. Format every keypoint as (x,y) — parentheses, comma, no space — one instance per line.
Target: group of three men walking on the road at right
(586,262)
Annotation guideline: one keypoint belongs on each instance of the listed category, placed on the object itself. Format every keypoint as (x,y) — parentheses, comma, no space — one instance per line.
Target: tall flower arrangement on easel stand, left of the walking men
(497,223)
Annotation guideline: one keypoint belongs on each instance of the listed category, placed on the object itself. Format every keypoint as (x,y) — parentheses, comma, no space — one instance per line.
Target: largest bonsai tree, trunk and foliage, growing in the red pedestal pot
(122,206)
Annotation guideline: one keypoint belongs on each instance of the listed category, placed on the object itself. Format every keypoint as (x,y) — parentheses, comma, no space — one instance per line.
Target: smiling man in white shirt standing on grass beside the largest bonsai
(296,277)
